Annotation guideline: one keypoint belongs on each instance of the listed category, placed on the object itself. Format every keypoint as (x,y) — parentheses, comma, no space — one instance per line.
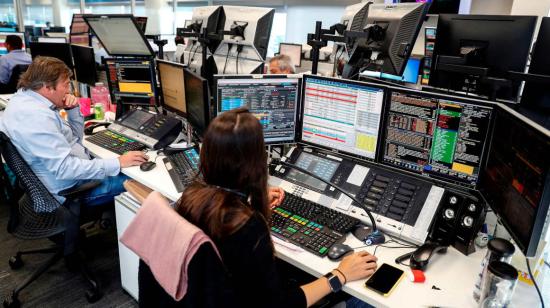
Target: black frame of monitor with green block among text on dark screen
(441,180)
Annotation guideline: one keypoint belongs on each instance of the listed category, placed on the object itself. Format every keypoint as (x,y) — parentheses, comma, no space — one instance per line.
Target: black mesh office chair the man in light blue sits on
(39,215)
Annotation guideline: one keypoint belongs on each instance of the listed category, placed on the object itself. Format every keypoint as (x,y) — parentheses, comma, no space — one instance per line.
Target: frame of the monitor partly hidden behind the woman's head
(264,76)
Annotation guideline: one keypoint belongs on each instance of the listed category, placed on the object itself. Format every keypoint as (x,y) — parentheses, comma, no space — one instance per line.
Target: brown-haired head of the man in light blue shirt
(49,77)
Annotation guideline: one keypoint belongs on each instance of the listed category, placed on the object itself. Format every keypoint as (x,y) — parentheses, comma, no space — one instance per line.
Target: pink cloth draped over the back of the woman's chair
(166,242)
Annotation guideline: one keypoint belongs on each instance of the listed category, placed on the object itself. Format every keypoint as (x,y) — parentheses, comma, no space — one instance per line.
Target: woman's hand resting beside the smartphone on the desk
(357,266)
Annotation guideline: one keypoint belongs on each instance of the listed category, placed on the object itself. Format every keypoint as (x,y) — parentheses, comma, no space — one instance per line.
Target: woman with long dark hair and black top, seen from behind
(232,205)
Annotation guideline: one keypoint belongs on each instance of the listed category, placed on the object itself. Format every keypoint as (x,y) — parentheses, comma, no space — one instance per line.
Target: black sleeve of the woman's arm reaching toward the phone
(250,259)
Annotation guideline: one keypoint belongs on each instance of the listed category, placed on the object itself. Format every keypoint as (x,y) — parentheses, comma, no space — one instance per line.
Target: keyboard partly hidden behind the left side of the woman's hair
(182,167)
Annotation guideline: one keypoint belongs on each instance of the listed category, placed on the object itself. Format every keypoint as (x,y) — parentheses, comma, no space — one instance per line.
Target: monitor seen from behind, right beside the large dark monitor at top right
(392,31)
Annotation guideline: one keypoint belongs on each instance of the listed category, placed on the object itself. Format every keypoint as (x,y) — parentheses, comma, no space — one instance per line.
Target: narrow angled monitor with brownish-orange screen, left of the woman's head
(172,87)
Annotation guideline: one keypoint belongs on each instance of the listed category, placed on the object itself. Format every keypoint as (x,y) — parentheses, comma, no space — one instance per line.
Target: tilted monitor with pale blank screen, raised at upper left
(119,35)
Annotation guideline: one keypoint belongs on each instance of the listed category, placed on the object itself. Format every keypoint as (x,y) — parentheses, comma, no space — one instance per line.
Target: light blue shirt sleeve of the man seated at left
(45,144)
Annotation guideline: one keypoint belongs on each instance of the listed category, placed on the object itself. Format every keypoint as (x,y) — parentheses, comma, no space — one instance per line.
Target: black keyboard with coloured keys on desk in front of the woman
(310,225)
